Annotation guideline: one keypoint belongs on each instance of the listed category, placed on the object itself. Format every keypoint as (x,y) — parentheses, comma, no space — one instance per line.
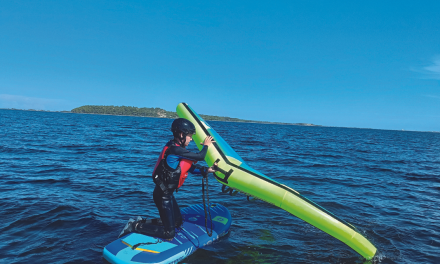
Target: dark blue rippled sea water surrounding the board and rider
(69,183)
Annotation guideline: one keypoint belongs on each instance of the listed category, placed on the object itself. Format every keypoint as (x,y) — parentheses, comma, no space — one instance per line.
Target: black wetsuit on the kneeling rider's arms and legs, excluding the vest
(165,202)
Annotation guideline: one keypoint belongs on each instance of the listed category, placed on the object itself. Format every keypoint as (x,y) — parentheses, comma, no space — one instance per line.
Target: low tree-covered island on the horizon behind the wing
(159,113)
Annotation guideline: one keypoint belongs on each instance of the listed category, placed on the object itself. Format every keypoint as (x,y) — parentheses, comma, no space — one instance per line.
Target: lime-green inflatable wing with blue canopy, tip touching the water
(236,174)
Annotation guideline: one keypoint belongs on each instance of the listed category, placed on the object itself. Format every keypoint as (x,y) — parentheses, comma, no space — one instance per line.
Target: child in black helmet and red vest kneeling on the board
(169,174)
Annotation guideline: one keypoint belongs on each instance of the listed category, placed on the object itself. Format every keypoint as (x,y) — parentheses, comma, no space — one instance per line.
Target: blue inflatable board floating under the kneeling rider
(189,237)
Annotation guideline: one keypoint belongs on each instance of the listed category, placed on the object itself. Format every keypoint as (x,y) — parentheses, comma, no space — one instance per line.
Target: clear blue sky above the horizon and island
(372,64)
